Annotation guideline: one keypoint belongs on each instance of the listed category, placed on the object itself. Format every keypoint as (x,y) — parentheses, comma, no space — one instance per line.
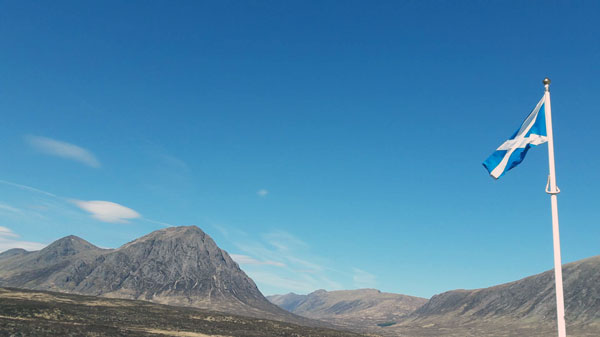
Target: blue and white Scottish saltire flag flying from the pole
(512,152)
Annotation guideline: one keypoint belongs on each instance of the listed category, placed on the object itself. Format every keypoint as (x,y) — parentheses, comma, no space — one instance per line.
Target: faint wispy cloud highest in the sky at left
(63,149)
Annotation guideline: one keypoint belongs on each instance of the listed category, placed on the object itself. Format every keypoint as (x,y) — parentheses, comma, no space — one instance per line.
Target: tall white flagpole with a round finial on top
(553,191)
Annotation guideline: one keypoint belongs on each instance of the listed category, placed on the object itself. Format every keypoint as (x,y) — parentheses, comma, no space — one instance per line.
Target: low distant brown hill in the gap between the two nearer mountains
(358,309)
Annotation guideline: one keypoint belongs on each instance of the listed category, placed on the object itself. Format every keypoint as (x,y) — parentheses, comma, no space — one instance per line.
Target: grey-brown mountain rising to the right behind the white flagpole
(531,299)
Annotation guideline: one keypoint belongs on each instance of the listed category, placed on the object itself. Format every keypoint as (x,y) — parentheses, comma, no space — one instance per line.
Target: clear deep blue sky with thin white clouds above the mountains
(323,144)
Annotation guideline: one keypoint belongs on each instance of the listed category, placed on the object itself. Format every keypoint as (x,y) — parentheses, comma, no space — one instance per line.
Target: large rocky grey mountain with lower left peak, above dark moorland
(178,265)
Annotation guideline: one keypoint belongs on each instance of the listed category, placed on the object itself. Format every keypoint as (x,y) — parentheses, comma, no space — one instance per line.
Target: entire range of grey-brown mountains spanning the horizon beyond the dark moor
(183,266)
